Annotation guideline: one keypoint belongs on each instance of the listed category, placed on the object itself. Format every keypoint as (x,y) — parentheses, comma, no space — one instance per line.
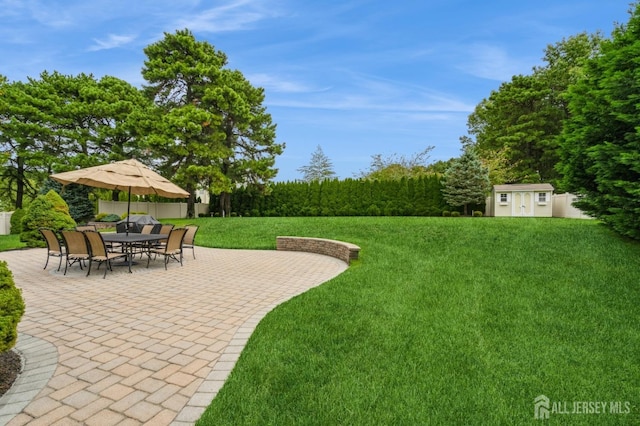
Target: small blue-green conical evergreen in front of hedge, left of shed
(466,181)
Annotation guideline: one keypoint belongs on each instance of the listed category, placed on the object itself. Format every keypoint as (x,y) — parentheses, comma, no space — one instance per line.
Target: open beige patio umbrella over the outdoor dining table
(128,175)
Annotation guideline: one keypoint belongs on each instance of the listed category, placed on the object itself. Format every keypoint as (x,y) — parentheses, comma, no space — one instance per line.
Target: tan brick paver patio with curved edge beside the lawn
(151,347)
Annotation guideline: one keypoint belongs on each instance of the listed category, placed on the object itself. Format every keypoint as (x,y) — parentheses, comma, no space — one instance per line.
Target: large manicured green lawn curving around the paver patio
(442,321)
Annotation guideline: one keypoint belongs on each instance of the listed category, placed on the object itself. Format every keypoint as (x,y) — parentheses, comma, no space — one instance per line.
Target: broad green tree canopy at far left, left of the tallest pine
(60,122)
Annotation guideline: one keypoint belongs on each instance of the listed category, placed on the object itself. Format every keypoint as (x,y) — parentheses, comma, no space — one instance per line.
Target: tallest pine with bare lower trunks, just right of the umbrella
(211,128)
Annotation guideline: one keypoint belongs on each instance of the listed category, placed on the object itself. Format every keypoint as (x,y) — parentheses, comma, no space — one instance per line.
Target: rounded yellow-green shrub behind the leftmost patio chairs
(48,211)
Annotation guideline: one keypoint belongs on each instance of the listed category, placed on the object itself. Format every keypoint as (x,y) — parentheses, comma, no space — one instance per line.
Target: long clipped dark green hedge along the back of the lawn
(350,197)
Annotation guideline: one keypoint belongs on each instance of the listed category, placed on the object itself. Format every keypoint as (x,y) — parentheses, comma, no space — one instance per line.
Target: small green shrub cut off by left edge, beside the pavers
(11,308)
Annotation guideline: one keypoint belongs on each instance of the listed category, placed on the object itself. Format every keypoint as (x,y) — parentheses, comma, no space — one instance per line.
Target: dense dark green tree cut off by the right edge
(600,142)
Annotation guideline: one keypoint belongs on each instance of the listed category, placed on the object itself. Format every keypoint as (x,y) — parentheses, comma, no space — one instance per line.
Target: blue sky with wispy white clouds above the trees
(355,77)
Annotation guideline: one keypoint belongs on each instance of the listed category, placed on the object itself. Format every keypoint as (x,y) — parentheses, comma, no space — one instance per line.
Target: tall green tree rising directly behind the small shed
(516,127)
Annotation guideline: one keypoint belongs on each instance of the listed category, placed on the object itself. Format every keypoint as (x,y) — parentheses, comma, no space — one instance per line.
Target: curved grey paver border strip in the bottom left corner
(39,362)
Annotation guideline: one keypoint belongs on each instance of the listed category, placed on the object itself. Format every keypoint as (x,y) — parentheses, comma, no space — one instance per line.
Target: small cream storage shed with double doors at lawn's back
(526,200)
